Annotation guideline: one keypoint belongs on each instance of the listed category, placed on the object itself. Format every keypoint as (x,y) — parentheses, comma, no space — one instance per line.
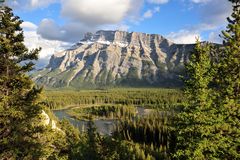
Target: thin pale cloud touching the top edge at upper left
(30,4)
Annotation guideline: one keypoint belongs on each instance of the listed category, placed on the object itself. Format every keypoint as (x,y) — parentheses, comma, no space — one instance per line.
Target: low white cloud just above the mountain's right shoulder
(184,37)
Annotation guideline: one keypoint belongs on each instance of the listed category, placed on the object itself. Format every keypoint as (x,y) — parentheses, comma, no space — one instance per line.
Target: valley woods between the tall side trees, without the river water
(137,138)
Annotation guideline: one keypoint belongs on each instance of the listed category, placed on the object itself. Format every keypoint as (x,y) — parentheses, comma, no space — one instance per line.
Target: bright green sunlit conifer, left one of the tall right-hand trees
(195,124)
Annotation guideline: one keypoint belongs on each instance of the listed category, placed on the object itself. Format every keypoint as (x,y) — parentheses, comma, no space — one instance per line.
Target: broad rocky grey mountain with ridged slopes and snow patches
(109,58)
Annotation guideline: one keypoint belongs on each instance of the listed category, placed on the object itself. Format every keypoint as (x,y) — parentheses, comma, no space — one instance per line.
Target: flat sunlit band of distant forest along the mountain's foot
(151,98)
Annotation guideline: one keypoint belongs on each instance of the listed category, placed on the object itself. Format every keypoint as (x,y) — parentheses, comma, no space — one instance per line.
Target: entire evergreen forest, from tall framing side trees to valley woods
(202,124)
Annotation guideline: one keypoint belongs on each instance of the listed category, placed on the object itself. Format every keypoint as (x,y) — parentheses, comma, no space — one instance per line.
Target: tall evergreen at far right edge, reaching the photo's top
(229,63)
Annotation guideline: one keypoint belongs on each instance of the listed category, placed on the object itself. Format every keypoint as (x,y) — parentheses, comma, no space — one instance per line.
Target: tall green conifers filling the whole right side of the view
(208,126)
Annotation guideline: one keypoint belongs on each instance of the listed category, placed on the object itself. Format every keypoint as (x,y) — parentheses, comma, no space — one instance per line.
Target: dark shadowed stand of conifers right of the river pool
(151,129)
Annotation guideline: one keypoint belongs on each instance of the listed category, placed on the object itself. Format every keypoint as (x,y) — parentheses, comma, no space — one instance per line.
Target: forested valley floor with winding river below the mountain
(137,118)
